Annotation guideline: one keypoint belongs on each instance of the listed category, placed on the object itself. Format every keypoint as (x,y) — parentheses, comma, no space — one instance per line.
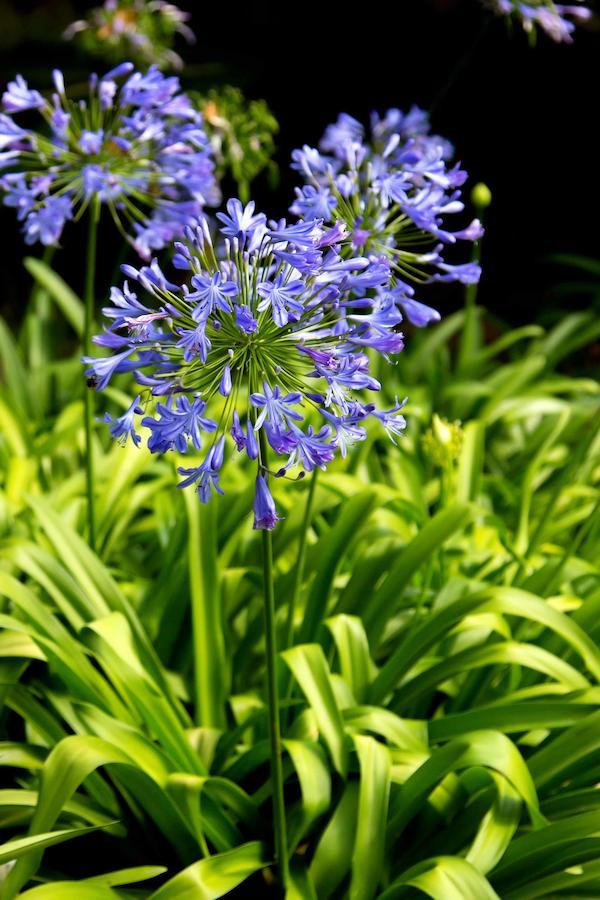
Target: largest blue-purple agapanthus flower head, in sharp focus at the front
(264,348)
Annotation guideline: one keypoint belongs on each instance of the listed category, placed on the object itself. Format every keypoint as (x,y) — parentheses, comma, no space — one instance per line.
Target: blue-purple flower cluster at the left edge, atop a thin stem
(135,144)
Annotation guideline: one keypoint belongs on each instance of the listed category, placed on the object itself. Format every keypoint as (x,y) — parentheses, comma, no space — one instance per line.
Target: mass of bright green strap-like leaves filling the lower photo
(441,661)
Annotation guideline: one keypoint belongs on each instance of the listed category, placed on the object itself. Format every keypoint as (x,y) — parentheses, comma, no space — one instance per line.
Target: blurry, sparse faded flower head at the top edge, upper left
(142,30)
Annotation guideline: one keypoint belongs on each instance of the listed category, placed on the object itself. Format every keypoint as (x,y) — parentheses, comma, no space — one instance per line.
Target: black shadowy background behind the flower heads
(523,119)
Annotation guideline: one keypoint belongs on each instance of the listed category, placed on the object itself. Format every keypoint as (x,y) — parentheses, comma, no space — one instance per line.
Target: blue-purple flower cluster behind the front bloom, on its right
(394,191)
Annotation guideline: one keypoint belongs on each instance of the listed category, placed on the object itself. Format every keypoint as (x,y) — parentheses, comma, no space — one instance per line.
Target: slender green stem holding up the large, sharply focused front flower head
(279,824)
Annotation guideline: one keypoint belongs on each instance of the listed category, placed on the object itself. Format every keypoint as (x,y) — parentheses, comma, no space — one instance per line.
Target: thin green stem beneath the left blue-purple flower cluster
(89,298)
